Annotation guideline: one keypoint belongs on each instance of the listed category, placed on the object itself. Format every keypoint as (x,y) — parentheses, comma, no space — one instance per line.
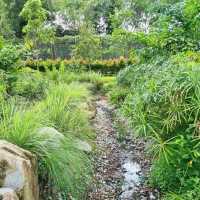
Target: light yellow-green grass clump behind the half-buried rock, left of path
(65,105)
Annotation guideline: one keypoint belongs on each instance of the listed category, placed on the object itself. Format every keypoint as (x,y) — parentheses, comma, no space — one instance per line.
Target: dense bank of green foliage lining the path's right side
(160,96)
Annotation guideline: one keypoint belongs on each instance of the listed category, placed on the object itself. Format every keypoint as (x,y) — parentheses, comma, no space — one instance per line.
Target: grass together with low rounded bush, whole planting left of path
(33,102)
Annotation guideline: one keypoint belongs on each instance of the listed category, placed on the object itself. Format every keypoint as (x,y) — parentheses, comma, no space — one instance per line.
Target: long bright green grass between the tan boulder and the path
(63,167)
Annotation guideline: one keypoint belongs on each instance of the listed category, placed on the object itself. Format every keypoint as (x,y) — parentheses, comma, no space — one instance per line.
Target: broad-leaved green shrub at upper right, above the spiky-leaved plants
(174,29)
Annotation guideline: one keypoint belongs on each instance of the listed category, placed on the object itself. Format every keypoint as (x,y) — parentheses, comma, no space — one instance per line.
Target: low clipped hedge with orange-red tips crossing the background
(110,66)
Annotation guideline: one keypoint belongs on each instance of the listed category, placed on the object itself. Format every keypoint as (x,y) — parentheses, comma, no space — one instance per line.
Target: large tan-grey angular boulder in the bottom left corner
(18,171)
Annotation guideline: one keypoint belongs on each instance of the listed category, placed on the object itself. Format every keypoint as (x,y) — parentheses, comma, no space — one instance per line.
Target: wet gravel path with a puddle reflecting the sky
(119,167)
